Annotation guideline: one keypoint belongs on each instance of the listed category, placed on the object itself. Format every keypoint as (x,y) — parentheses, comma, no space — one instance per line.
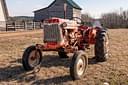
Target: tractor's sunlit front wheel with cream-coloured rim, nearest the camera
(78,65)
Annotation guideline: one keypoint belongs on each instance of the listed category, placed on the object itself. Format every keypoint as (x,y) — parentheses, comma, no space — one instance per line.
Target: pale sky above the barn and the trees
(93,7)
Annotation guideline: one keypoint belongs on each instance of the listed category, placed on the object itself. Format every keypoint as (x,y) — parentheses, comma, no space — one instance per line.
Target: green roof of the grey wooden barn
(70,2)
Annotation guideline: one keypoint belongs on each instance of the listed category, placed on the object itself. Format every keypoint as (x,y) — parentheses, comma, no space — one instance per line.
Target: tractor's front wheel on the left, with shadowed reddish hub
(31,58)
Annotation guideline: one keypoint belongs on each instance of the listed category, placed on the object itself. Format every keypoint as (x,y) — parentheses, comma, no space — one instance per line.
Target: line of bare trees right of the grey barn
(110,20)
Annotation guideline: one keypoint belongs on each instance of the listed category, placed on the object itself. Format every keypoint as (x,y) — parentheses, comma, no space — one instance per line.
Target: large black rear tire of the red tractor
(102,47)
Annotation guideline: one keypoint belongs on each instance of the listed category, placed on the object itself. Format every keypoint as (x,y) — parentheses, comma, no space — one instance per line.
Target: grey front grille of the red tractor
(52,33)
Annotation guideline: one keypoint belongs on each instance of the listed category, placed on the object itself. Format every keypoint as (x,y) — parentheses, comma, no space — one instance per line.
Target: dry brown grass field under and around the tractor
(55,70)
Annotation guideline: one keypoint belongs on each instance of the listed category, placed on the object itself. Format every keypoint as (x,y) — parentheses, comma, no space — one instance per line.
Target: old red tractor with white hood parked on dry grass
(68,36)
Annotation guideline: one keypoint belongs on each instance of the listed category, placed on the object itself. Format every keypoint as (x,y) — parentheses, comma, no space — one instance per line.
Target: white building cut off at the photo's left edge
(3,14)
